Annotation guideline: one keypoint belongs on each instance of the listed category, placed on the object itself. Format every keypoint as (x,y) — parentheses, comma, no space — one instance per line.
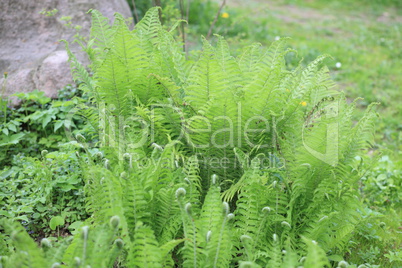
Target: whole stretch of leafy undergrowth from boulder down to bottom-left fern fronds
(35,190)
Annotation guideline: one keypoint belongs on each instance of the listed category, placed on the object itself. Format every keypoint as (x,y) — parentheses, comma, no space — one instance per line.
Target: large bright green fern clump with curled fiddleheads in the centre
(216,161)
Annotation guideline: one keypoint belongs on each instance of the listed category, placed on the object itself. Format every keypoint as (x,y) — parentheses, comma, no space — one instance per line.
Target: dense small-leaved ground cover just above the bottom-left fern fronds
(34,191)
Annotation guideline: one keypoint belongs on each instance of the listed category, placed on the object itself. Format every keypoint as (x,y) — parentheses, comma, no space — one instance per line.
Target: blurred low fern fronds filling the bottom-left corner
(85,249)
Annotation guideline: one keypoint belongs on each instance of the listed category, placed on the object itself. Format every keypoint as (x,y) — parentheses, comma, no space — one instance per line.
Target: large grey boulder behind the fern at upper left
(30,50)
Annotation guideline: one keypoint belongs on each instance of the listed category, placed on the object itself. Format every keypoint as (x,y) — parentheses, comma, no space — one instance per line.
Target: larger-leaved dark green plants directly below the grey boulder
(38,123)
